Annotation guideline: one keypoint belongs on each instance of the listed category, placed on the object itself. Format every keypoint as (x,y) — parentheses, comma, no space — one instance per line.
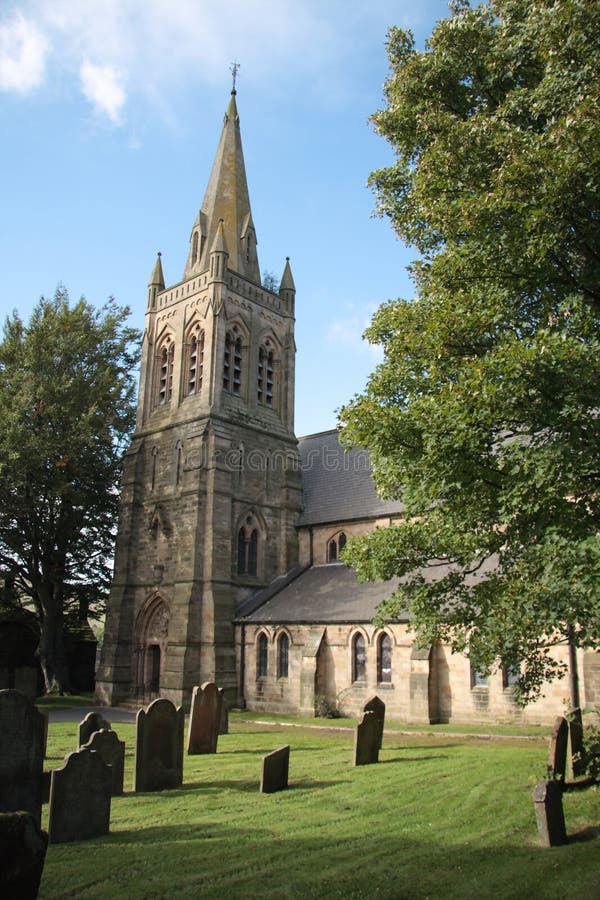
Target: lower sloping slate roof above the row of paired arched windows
(324,594)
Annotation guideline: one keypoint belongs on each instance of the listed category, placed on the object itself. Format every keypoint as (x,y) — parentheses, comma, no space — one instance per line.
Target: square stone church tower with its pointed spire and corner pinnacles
(211,490)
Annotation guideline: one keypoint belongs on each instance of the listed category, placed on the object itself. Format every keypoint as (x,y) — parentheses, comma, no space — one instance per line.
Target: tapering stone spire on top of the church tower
(226,198)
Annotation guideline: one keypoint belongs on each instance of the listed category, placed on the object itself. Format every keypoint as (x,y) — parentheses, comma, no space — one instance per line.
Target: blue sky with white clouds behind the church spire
(110,114)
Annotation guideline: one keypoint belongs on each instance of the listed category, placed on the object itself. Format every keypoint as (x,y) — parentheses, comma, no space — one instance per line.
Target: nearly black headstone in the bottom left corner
(22,854)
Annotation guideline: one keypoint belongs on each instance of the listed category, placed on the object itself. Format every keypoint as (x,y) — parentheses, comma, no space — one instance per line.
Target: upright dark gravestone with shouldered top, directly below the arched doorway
(159,747)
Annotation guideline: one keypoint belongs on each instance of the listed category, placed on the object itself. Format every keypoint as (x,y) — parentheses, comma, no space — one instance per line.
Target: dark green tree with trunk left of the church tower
(66,408)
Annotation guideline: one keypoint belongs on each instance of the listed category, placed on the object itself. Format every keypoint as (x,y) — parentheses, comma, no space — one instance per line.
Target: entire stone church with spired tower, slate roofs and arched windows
(230,532)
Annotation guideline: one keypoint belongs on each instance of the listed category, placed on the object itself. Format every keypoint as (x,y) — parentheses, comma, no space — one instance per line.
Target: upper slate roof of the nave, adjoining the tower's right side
(336,484)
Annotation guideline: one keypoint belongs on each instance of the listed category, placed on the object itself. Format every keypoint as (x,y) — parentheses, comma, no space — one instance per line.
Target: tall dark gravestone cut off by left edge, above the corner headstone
(22,729)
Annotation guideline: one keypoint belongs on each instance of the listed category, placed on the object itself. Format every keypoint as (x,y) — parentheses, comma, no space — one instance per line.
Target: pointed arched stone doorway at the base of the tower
(151,648)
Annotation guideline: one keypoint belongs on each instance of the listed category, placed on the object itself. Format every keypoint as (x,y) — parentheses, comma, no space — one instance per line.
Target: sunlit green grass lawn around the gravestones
(437,817)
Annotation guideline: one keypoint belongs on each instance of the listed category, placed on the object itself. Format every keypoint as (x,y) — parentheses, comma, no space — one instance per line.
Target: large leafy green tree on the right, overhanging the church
(483,416)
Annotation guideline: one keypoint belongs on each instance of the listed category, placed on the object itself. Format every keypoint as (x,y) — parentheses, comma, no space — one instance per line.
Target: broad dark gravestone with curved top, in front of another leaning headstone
(80,794)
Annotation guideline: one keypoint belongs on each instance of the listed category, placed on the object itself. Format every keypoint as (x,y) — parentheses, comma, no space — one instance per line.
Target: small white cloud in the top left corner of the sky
(23,50)
